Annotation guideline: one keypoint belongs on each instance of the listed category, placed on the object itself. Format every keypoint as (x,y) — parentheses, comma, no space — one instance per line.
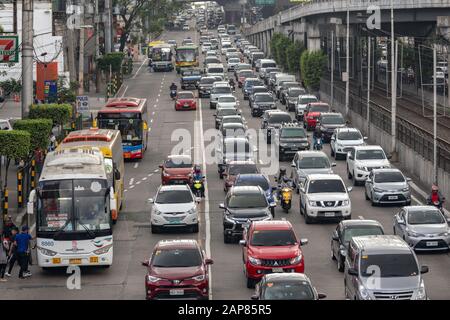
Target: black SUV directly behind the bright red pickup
(243,204)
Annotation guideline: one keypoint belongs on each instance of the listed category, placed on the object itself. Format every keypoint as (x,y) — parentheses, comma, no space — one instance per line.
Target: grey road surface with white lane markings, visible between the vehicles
(133,241)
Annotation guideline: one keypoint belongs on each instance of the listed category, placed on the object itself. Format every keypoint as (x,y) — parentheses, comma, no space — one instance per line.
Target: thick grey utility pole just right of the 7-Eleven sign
(27,56)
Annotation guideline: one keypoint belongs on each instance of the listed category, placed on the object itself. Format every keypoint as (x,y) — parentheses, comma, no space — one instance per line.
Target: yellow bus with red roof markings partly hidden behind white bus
(110,144)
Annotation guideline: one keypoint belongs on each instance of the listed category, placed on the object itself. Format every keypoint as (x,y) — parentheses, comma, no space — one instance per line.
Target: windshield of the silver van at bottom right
(389,265)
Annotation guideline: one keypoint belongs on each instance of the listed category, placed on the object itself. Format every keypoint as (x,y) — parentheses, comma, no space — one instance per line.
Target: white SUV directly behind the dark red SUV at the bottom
(174,206)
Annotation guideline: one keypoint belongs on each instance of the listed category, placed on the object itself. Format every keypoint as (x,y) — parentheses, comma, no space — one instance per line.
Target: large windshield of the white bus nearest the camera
(73,205)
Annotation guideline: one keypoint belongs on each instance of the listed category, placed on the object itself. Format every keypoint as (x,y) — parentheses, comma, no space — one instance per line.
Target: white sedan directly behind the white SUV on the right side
(343,139)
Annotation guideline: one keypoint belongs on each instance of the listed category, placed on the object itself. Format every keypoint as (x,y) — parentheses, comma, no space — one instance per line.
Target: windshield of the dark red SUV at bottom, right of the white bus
(176,258)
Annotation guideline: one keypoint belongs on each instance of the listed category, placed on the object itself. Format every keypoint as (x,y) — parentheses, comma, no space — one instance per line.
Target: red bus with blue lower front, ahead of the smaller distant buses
(129,115)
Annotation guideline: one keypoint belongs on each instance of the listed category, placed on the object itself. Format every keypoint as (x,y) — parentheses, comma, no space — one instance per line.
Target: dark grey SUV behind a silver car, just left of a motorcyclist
(291,137)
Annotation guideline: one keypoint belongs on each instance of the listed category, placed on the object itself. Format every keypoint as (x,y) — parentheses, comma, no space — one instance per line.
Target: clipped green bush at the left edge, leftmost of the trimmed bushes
(15,144)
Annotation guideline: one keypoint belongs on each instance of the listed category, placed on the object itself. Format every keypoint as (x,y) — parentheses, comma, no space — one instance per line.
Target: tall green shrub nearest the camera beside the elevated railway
(312,66)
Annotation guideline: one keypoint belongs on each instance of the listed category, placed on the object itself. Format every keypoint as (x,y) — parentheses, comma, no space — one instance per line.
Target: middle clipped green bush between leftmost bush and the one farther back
(39,130)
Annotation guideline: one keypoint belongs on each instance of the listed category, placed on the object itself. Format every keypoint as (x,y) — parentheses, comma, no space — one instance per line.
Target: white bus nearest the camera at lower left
(73,202)
